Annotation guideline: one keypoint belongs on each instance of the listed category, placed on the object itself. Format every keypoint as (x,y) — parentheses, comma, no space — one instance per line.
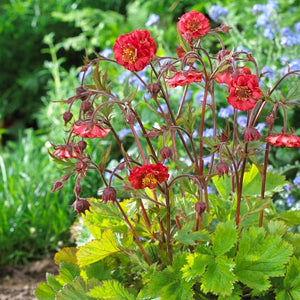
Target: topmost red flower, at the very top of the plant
(192,25)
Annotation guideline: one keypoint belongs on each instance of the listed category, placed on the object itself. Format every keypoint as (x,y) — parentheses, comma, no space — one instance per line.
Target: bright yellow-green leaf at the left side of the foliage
(98,249)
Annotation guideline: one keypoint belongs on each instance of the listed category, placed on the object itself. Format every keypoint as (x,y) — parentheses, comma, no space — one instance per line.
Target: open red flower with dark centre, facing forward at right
(243,92)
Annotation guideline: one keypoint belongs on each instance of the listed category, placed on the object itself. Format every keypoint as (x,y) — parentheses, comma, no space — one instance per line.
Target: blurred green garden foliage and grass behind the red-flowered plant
(43,44)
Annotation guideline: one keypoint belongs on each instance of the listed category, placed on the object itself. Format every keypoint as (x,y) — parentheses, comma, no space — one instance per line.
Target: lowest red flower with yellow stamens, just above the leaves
(148,176)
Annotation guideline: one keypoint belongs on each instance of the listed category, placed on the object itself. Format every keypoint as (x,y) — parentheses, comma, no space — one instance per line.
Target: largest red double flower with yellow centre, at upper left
(134,50)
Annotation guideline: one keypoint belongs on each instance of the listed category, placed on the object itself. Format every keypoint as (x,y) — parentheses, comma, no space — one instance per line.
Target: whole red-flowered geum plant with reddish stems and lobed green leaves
(184,216)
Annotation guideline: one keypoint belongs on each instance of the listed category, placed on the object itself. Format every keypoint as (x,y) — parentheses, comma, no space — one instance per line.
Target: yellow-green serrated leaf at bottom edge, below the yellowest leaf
(110,290)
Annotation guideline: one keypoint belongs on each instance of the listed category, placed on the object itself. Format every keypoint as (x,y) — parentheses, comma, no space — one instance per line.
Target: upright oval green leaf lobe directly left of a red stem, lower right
(224,238)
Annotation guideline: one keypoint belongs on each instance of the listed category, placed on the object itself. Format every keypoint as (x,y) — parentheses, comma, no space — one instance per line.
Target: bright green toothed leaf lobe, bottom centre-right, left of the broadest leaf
(219,277)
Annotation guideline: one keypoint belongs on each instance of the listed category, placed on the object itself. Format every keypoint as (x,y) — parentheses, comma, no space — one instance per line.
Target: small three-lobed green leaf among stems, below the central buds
(186,237)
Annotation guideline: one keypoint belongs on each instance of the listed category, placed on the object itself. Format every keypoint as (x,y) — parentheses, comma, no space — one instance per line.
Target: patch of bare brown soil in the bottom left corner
(19,282)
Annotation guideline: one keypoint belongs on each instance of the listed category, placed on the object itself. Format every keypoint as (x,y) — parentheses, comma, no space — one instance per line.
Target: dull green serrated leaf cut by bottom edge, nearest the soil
(76,291)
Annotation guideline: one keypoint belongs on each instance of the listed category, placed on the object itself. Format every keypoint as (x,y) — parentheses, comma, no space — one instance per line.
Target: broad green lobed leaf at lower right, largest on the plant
(260,257)
